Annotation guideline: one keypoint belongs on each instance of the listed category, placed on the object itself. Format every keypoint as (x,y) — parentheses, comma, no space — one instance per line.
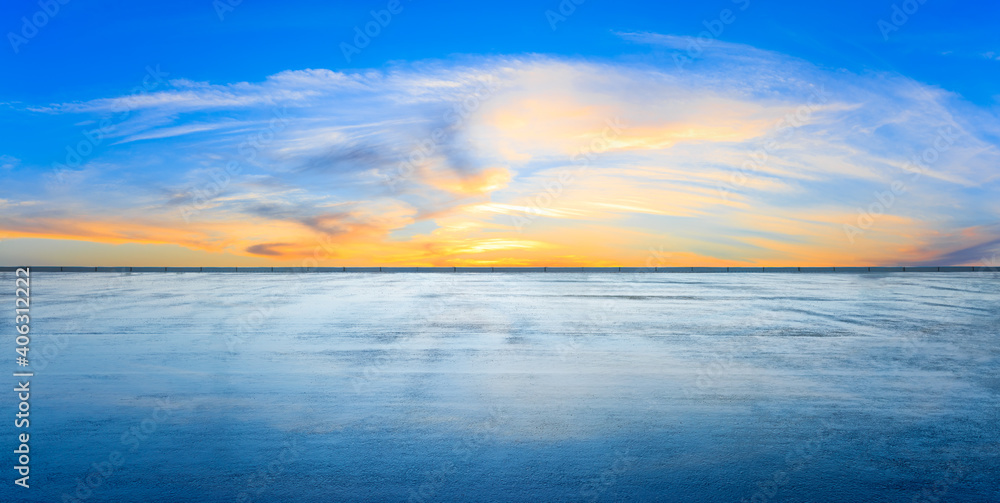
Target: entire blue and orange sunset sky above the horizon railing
(559,133)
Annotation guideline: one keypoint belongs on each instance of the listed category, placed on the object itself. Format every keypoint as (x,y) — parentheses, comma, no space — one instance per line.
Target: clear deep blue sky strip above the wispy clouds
(98,47)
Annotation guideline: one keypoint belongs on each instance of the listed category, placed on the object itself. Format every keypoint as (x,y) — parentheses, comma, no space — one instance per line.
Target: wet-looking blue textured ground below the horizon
(520,387)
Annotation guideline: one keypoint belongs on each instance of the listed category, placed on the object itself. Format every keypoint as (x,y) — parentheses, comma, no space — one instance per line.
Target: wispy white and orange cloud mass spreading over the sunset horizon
(473,145)
